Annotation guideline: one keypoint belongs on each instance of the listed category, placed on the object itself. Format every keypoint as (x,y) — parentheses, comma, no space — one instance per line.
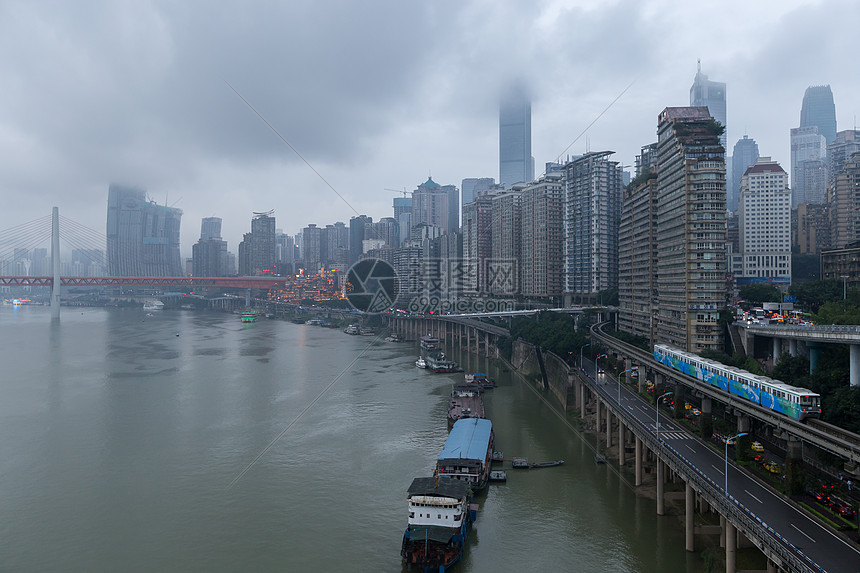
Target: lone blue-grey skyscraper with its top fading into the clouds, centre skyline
(516,164)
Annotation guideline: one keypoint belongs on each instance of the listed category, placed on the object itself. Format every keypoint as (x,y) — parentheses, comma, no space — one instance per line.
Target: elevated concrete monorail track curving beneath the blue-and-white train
(815,432)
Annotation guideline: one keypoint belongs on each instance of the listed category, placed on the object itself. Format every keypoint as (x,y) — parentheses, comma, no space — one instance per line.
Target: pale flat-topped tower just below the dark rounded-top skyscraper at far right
(808,166)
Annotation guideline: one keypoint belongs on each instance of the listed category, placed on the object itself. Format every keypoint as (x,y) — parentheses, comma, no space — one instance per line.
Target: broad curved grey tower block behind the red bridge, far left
(142,236)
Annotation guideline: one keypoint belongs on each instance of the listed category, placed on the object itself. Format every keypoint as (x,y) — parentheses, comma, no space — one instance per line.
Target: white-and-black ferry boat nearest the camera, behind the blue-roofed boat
(440,515)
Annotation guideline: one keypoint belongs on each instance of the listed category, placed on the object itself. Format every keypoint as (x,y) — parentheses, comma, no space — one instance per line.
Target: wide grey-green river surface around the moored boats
(185,441)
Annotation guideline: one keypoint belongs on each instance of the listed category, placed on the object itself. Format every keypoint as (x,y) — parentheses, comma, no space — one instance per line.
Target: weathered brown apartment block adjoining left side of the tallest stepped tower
(637,258)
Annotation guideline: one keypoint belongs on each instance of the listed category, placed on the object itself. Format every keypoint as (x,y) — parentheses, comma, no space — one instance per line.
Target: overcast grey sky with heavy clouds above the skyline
(373,94)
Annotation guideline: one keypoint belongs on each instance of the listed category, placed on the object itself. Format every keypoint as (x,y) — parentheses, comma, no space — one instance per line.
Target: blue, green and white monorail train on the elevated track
(798,403)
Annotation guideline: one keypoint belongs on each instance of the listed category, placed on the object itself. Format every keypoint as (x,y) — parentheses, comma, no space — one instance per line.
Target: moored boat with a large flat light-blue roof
(468,452)
